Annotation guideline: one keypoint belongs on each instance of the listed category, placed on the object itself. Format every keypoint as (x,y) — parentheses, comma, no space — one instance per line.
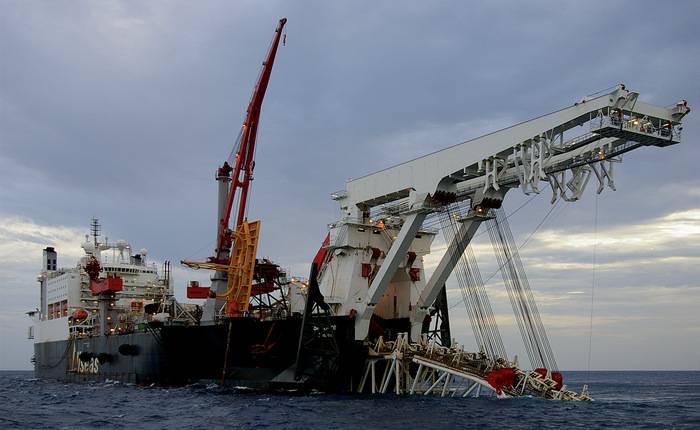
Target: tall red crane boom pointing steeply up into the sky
(242,171)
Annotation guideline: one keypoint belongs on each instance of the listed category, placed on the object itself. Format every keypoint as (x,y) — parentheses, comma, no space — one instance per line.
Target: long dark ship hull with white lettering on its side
(261,355)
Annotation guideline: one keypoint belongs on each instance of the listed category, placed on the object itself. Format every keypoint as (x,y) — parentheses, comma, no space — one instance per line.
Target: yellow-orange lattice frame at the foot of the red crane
(240,268)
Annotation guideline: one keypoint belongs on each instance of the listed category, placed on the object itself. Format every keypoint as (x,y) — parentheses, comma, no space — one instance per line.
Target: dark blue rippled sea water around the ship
(622,400)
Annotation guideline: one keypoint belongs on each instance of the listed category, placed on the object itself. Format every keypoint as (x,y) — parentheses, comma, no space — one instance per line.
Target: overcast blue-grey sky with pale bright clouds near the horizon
(123,110)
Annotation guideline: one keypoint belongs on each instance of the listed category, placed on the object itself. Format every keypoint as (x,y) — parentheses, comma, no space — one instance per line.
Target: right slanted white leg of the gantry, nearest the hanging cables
(465,233)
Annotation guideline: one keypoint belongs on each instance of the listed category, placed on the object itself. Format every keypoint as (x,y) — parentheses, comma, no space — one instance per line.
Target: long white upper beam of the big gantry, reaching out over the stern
(443,169)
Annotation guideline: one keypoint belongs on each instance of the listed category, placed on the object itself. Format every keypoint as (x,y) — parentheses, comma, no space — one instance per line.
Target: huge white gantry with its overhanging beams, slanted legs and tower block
(375,266)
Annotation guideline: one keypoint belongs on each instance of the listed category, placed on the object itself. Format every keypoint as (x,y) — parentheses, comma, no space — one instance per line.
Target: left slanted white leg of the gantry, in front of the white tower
(381,281)
